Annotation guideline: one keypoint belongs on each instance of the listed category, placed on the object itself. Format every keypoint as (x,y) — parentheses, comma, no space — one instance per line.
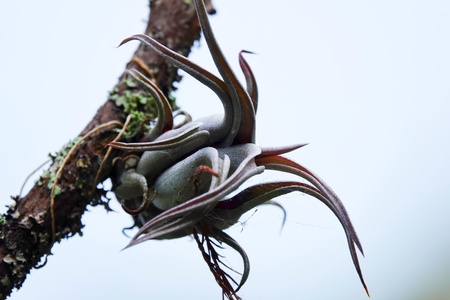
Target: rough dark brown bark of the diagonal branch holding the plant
(26,234)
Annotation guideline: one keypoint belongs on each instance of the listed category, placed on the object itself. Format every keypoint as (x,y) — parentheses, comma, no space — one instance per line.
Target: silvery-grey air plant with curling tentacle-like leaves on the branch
(188,176)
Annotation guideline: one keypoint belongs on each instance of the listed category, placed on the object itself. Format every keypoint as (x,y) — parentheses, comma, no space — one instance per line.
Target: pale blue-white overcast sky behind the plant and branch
(366,83)
